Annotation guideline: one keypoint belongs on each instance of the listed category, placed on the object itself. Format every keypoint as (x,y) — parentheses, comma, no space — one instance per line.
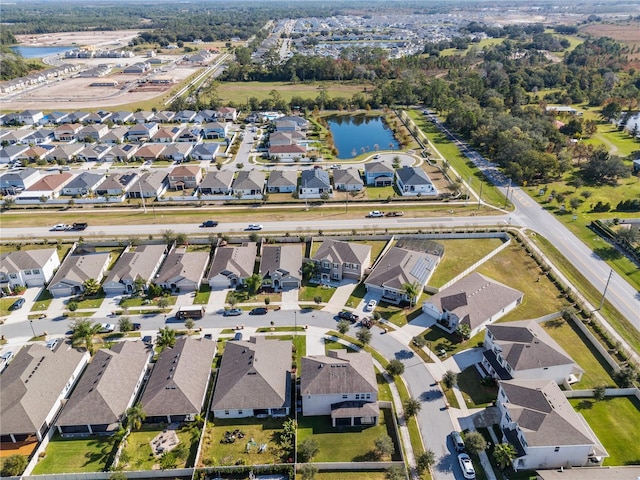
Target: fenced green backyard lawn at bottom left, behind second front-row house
(75,455)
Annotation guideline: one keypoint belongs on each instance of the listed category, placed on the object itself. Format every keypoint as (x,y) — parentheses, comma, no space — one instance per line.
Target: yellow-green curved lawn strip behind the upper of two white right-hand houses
(578,347)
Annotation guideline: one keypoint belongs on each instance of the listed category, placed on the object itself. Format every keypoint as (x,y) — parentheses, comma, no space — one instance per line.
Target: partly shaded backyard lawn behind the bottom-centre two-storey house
(353,444)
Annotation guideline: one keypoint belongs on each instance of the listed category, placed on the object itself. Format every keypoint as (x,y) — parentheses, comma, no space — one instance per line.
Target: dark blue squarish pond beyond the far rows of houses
(353,136)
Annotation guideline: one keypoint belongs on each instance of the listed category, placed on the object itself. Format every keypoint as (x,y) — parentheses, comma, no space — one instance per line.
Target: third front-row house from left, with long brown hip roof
(178,384)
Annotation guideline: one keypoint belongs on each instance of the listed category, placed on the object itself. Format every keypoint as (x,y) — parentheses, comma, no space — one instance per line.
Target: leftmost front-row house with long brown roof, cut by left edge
(33,387)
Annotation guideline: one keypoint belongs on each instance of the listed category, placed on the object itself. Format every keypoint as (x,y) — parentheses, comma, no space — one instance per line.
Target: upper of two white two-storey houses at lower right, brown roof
(523,350)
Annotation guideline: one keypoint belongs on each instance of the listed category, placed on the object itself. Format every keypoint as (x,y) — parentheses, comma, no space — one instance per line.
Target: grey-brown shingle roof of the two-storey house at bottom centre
(338,373)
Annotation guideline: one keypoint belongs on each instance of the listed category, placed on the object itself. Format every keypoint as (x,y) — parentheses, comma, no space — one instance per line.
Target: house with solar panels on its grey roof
(399,267)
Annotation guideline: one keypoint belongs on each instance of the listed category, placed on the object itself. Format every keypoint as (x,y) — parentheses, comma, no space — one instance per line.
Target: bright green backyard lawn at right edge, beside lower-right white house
(616,422)
